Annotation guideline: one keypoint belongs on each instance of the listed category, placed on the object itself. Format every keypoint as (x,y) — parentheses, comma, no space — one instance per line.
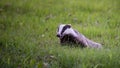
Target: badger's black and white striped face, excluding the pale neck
(61,29)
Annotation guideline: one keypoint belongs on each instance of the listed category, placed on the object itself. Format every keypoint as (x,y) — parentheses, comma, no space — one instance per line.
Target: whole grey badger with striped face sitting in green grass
(67,34)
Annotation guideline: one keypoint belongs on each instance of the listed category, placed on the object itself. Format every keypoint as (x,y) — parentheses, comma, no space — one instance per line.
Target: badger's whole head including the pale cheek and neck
(65,29)
